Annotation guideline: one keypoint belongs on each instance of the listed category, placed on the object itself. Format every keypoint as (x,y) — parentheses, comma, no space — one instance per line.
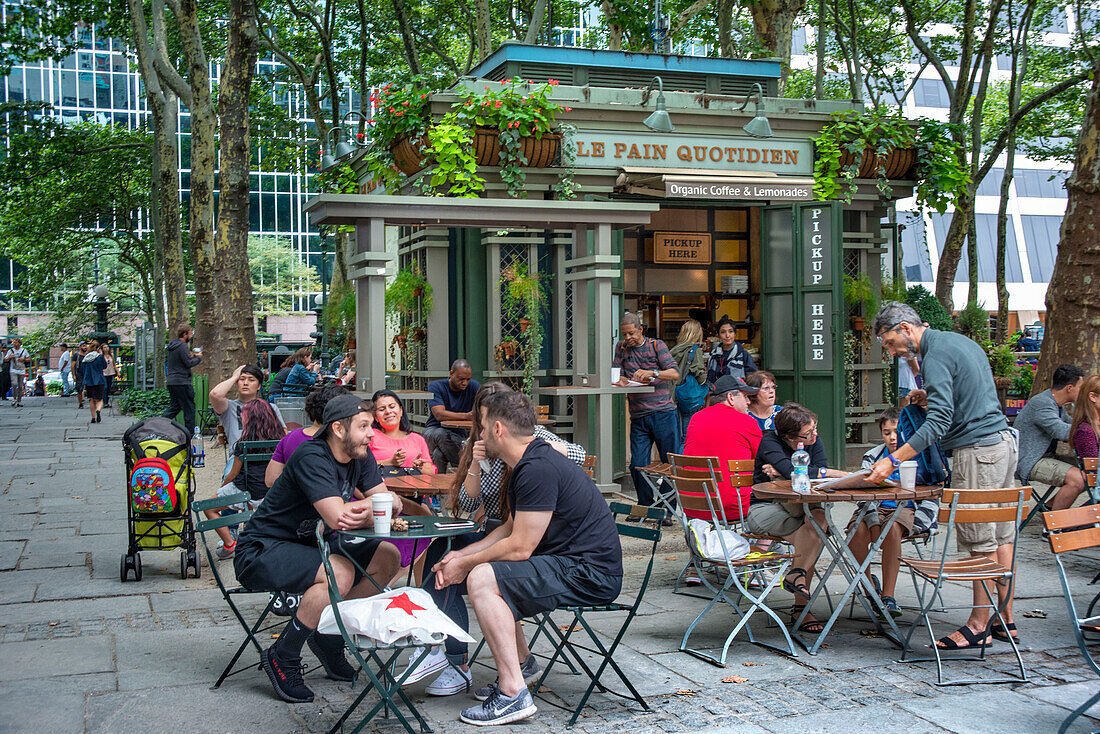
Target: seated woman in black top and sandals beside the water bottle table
(796,426)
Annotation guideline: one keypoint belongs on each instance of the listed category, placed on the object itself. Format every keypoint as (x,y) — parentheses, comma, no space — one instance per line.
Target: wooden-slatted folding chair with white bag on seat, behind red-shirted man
(696,481)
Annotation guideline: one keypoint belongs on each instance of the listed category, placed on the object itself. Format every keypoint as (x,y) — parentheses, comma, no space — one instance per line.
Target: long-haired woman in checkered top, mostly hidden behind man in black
(480,486)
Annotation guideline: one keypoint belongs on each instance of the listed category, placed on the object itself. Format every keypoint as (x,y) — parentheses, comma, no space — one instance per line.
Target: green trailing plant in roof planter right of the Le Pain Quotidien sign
(941,165)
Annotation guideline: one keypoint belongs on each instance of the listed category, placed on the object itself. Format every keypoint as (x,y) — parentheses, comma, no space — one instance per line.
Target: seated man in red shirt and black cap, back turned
(727,431)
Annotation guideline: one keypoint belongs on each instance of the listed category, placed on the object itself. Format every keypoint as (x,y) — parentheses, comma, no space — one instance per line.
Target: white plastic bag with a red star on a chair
(392,616)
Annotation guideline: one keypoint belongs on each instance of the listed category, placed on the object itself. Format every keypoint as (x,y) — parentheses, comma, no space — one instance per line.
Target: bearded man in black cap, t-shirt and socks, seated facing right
(328,478)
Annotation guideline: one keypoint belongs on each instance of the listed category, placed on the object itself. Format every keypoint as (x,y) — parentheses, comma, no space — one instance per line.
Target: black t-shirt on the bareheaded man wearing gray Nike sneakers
(582,527)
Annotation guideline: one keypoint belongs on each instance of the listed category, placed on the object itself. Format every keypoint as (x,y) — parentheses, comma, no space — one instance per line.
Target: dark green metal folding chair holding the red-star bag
(377,661)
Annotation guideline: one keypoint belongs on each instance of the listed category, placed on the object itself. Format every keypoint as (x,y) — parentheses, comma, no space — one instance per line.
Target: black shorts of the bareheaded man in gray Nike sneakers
(543,584)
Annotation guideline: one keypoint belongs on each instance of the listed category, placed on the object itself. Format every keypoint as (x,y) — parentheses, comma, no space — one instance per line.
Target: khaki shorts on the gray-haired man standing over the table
(985,468)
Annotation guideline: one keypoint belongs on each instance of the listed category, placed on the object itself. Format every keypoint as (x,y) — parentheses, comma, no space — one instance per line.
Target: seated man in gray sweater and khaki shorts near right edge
(1042,424)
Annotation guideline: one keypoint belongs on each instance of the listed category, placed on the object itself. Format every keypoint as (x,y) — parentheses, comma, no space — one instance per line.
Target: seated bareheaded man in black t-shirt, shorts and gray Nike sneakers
(558,546)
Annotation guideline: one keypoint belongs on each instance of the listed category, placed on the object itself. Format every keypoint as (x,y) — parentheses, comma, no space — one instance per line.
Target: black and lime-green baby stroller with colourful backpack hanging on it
(159,495)
